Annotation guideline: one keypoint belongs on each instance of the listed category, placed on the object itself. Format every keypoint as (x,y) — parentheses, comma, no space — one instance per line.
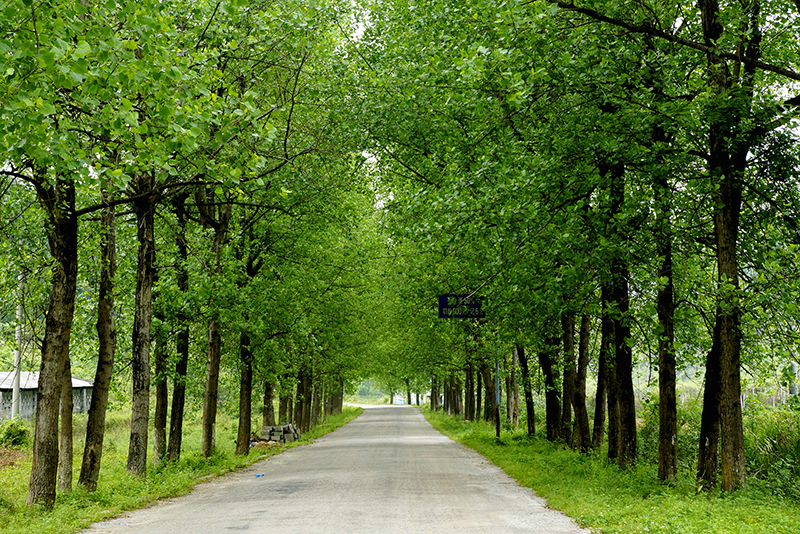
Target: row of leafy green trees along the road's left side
(183,163)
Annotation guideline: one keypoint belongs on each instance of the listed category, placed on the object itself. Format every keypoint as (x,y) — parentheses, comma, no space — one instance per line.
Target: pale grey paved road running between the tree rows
(386,472)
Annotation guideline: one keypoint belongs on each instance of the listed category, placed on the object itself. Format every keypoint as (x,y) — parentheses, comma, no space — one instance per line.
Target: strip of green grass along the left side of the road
(118,491)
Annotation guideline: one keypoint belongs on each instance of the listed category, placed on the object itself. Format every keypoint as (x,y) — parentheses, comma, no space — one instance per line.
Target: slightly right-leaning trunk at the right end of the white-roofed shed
(107,348)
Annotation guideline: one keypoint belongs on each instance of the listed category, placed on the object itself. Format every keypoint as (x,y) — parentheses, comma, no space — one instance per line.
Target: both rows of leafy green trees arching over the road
(216,174)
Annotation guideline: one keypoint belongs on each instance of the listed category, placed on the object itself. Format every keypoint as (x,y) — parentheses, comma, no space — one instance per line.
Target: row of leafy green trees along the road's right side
(628,168)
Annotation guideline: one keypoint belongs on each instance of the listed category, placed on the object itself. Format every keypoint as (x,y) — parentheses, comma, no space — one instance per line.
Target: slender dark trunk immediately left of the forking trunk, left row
(182,335)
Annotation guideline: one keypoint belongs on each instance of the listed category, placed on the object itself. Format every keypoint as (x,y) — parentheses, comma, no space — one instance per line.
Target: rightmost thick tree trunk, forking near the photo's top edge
(729,145)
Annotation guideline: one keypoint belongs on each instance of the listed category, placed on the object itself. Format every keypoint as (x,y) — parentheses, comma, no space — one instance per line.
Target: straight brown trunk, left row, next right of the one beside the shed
(140,355)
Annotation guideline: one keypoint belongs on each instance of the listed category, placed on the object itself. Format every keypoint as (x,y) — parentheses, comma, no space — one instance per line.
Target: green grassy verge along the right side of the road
(601,497)
